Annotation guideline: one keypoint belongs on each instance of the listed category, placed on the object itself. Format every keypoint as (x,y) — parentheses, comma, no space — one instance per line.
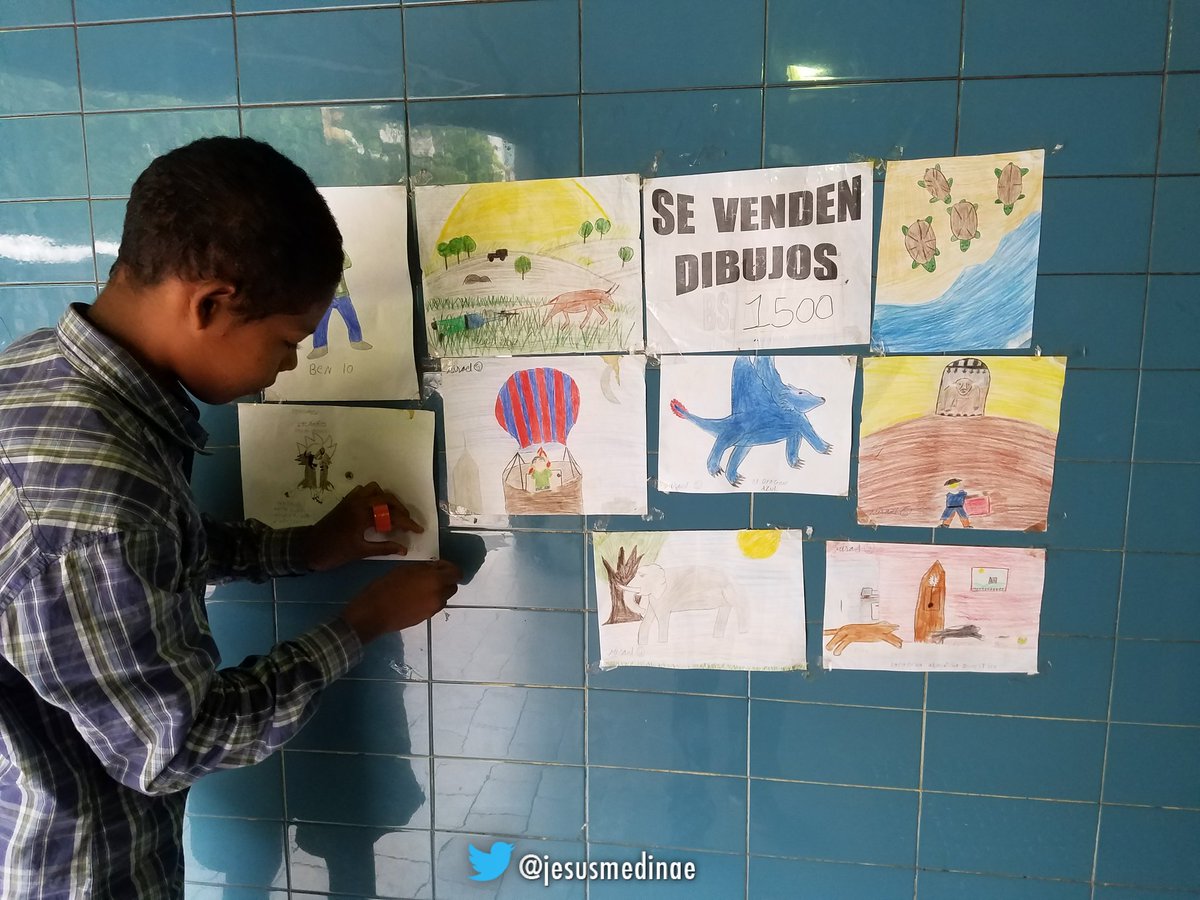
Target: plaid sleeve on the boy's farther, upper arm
(253,551)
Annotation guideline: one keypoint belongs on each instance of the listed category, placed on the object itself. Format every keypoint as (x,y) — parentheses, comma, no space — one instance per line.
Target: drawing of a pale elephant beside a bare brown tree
(700,599)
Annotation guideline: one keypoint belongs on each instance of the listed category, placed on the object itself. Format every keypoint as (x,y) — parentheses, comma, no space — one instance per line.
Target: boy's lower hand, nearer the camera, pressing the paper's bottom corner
(406,596)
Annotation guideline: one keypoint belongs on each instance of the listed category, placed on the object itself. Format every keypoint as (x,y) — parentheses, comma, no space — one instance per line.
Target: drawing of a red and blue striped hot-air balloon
(544,436)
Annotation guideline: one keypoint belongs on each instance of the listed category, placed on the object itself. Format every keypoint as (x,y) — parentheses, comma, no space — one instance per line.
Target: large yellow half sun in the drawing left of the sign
(525,215)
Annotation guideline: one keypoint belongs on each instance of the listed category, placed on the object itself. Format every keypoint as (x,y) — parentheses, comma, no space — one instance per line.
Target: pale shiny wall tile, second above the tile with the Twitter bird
(496,723)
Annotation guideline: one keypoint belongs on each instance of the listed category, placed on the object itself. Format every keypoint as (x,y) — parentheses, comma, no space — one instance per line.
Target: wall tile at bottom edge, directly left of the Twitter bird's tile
(364,862)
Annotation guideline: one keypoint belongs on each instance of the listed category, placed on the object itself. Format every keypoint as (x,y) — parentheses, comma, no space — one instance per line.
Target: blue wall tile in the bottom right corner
(1149,847)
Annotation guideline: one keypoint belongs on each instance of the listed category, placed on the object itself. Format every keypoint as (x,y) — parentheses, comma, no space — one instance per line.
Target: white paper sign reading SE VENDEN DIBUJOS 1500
(760,260)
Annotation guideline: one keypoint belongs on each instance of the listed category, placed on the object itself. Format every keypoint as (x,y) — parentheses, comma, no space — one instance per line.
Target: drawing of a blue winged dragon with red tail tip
(771,424)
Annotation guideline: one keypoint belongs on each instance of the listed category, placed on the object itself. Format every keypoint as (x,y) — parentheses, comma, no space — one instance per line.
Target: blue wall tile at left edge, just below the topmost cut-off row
(39,73)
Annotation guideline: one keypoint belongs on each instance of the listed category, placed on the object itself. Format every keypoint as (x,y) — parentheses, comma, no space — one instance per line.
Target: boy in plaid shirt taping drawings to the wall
(111,700)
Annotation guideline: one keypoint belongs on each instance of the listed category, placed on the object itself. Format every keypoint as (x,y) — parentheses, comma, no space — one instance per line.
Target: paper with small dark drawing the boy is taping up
(299,461)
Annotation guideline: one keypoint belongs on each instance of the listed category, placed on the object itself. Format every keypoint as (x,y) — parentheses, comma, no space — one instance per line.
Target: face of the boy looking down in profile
(237,357)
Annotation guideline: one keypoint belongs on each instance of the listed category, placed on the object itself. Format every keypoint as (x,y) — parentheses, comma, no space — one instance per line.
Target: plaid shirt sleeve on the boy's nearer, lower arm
(107,635)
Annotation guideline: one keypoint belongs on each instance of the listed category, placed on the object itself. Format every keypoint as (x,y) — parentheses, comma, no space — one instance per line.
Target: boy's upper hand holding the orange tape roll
(338,538)
